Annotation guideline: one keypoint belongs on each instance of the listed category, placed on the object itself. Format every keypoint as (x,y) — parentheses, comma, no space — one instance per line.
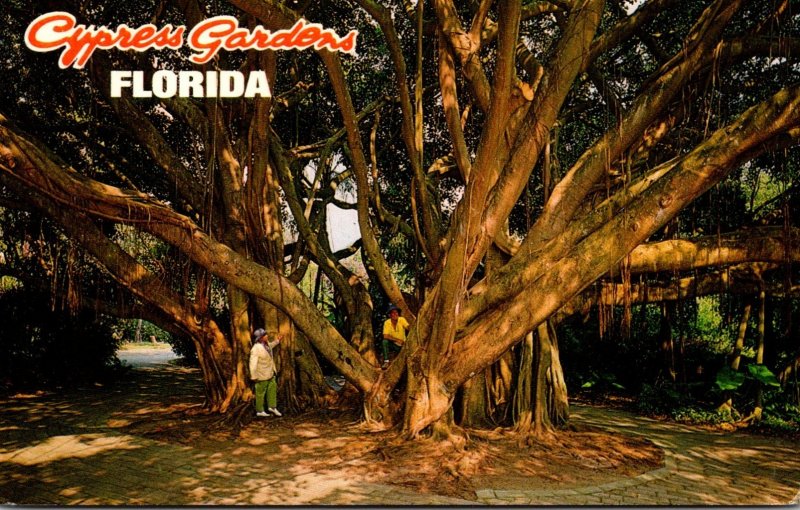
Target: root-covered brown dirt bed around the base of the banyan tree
(335,440)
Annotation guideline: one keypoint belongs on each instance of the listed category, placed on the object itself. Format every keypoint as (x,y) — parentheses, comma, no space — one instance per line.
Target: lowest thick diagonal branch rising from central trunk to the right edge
(549,282)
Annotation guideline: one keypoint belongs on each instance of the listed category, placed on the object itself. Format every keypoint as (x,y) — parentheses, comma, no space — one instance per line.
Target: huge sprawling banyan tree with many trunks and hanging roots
(509,163)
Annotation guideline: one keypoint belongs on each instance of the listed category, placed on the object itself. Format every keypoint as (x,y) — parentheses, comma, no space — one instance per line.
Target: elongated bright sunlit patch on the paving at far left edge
(65,447)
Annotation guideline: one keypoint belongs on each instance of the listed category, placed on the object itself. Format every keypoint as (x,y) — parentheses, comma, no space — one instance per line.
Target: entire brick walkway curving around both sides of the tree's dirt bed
(69,449)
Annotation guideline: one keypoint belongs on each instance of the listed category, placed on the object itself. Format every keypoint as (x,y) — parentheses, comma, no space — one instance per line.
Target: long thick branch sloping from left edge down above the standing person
(34,169)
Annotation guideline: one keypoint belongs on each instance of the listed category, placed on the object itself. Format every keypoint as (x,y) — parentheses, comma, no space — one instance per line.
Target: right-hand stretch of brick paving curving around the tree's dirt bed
(701,468)
